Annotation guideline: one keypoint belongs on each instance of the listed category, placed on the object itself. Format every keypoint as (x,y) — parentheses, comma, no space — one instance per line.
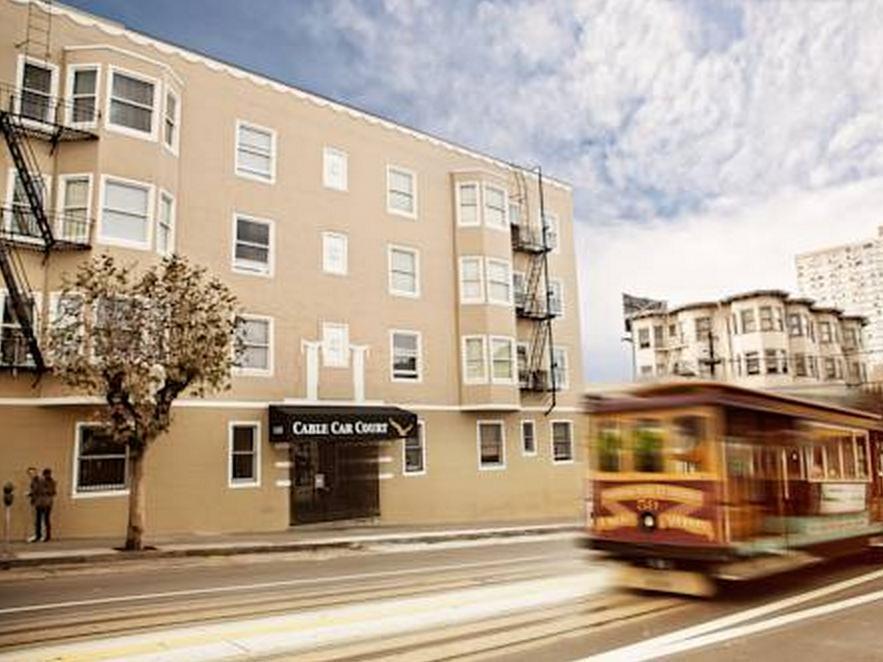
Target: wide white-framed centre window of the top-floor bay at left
(131,103)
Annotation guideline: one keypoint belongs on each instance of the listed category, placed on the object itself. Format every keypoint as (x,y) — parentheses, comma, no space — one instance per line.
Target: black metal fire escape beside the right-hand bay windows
(534,299)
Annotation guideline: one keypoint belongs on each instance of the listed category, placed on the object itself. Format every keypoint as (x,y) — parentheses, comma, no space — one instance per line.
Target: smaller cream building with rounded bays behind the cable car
(760,339)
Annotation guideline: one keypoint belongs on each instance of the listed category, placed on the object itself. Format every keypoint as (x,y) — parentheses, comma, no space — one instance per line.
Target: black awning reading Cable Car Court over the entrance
(300,423)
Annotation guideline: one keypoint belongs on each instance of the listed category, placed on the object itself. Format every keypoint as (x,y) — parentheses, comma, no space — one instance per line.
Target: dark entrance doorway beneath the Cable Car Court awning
(333,480)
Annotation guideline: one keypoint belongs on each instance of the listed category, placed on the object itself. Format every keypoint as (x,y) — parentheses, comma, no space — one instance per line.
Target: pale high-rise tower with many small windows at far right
(849,277)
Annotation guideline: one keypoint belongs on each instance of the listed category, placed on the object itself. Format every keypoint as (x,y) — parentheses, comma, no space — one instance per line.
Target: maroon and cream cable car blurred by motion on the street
(690,483)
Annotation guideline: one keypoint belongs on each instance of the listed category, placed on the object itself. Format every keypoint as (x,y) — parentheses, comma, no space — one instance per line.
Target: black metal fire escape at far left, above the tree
(26,223)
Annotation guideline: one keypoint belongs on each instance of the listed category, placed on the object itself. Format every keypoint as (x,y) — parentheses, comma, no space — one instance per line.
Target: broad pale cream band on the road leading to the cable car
(305,631)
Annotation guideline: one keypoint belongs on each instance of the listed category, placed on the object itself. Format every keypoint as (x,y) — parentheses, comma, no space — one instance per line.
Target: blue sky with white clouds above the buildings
(707,141)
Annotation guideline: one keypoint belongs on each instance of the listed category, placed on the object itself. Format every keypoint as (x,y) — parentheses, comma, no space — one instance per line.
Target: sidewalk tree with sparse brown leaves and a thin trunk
(139,339)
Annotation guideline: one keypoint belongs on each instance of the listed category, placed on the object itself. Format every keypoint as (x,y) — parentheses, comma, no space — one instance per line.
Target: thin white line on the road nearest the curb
(274,584)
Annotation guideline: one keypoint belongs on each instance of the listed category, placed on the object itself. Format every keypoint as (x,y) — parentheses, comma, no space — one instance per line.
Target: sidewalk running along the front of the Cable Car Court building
(301,539)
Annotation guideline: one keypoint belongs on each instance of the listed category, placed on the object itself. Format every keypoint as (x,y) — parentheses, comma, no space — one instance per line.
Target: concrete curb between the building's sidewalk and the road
(357,542)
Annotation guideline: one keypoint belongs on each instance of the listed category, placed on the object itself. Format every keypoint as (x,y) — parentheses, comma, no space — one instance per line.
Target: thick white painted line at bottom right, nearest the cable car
(648,649)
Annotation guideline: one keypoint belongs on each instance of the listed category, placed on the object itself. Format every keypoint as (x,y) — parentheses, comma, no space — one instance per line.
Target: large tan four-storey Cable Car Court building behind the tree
(407,359)
